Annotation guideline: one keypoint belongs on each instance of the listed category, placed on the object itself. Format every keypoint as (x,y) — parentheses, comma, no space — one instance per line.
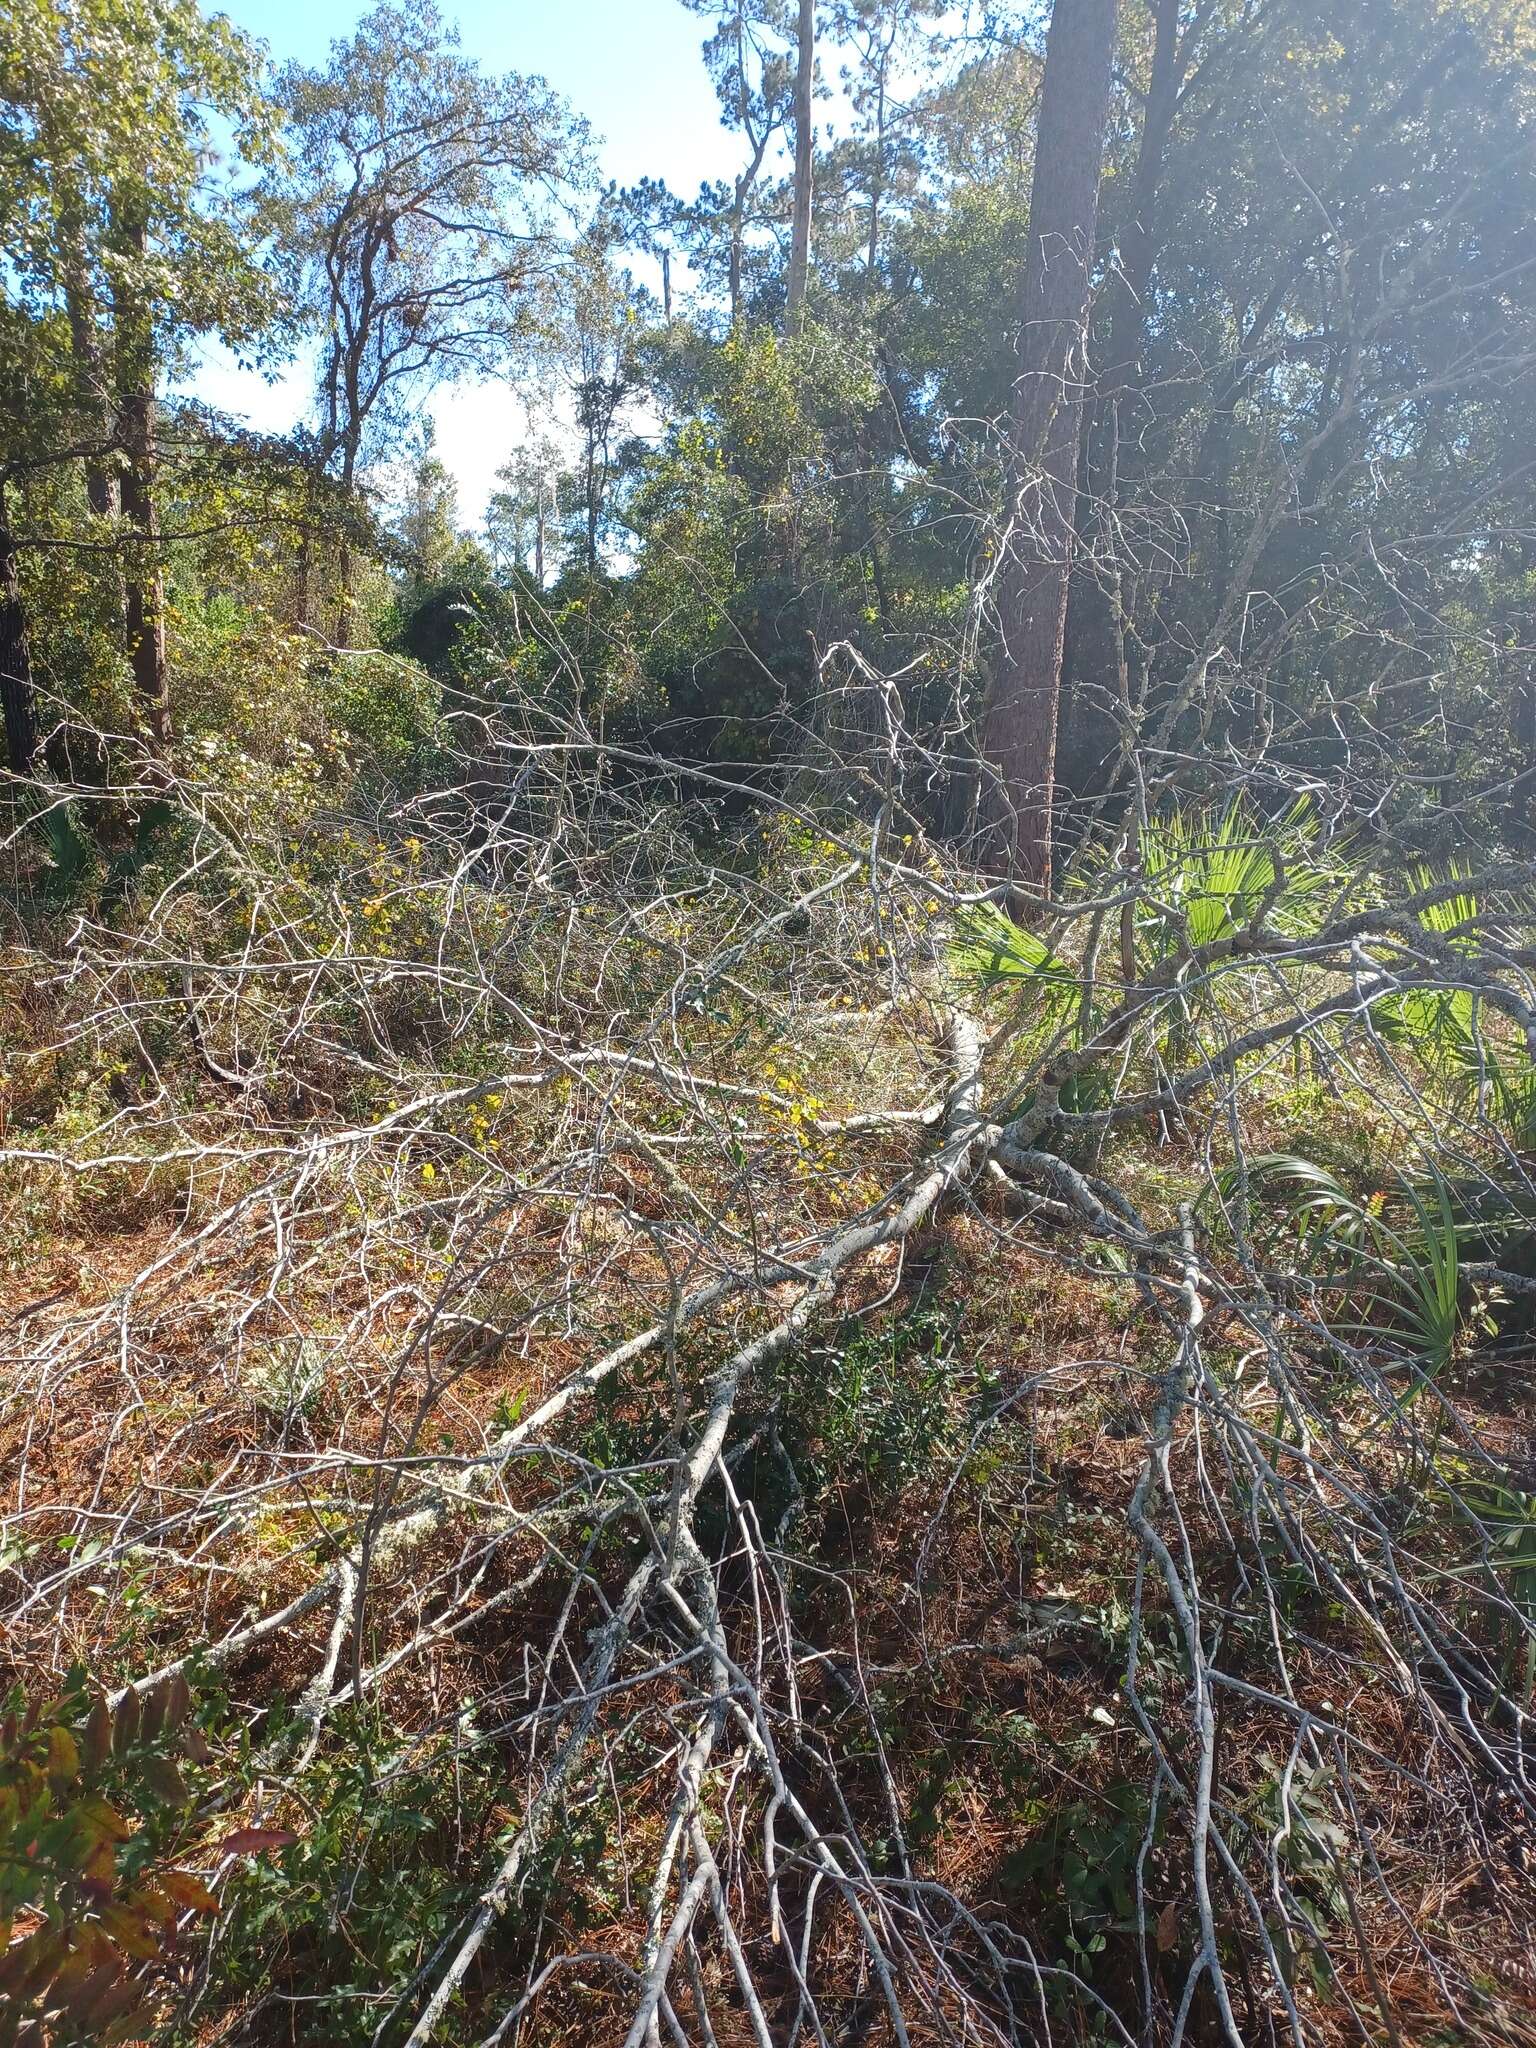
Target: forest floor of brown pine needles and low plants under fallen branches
(316,1400)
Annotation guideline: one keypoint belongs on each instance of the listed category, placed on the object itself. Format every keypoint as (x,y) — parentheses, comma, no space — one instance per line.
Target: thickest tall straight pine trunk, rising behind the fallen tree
(1021,736)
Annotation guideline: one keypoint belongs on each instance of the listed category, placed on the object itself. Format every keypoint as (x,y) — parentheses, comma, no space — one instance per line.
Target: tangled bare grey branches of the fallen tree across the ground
(638,1621)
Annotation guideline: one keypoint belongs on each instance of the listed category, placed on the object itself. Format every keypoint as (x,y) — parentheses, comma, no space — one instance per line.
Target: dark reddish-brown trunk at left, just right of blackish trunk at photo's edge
(136,431)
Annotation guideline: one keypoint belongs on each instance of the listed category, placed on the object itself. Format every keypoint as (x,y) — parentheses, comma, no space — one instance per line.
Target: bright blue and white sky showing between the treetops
(632,67)
